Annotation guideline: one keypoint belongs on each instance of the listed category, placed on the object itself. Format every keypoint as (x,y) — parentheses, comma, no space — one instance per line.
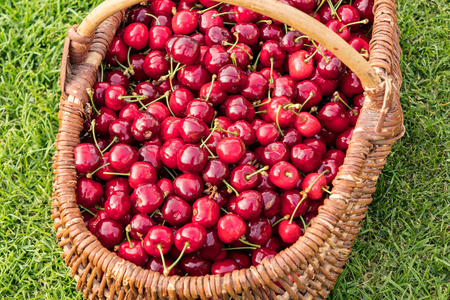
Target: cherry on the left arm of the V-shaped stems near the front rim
(158,237)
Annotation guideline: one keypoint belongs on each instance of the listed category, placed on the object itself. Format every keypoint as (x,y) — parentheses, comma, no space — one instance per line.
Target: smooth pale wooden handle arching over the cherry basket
(275,10)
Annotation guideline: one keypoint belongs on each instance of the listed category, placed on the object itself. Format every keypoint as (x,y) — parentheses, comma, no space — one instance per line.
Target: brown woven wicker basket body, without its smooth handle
(313,263)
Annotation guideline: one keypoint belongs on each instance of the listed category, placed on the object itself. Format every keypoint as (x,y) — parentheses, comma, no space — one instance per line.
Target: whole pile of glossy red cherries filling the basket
(216,132)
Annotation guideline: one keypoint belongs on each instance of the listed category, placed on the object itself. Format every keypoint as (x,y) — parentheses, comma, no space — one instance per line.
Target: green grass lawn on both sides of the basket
(403,250)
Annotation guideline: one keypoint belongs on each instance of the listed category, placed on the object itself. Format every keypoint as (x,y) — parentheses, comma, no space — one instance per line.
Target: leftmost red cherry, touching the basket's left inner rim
(87,158)
